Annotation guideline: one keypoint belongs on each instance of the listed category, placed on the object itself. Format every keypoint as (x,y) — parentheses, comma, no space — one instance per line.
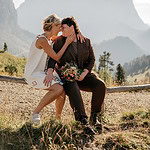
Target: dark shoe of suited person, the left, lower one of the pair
(86,127)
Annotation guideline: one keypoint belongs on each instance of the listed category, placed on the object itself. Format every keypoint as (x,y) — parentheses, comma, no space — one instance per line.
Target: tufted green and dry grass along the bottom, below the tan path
(130,131)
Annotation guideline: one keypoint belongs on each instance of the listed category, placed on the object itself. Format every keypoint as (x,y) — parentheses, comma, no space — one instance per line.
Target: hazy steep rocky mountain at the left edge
(17,39)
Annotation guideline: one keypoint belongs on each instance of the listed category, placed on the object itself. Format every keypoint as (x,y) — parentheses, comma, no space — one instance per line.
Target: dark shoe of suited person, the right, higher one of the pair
(95,122)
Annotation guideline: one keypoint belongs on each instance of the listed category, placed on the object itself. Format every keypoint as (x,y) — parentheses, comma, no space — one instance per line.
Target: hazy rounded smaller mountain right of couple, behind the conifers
(122,49)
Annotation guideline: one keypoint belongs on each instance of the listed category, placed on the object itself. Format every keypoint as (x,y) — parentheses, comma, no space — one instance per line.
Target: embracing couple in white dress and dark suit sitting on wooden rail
(43,71)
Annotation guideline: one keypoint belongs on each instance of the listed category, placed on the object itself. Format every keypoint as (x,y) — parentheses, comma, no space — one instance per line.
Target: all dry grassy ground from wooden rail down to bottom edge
(126,122)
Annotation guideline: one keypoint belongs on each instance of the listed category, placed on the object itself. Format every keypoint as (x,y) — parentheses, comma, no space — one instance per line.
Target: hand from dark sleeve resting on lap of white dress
(49,77)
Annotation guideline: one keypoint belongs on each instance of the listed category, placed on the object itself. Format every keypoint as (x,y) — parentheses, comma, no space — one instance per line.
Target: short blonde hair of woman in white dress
(49,21)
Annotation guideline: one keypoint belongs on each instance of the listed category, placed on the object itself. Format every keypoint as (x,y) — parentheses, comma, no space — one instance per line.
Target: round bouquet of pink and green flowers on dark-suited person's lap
(70,72)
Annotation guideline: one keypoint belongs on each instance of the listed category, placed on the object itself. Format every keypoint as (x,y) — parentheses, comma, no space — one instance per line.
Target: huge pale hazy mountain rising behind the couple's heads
(105,19)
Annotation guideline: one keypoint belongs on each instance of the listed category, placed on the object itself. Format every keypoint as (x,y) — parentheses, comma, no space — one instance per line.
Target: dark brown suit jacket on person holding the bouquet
(85,58)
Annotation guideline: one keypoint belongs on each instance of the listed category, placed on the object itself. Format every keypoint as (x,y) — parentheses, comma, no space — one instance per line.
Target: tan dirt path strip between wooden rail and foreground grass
(20,100)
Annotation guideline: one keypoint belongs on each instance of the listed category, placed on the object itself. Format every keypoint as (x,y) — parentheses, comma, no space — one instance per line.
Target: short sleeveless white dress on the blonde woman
(35,67)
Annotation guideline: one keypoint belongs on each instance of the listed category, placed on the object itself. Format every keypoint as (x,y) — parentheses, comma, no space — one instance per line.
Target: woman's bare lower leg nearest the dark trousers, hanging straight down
(60,101)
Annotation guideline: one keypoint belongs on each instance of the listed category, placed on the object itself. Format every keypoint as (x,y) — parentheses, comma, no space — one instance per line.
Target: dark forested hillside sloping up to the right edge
(138,65)
